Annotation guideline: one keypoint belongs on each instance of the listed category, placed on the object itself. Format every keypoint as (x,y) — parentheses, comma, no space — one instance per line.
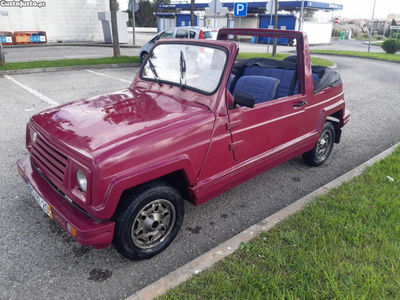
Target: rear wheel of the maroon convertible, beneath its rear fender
(323,148)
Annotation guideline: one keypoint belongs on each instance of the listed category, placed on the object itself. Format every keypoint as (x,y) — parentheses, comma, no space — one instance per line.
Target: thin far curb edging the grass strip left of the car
(72,68)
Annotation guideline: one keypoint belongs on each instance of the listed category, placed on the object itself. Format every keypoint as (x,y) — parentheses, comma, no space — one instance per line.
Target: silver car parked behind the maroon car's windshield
(184,32)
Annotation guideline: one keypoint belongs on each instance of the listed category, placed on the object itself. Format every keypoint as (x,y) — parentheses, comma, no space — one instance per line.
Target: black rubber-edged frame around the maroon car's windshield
(186,42)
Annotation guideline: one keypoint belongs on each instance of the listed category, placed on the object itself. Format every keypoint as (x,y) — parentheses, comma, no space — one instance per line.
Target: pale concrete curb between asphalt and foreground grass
(208,259)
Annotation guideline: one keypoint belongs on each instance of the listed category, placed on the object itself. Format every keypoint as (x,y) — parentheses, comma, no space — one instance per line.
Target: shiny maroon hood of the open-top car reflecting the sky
(102,121)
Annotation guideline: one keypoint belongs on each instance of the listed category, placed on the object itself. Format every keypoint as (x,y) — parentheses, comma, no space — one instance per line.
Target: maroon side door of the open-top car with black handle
(268,128)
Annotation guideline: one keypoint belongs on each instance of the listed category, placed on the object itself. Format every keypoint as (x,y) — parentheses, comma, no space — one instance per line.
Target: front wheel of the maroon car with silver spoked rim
(148,221)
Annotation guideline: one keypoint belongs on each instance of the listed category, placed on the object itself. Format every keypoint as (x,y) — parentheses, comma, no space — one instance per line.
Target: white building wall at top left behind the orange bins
(69,20)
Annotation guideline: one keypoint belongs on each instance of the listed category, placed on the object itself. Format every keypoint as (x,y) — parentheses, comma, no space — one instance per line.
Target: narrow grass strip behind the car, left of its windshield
(69,63)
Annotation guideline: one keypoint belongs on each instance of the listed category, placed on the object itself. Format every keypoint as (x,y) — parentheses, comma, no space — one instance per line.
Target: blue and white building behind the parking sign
(318,17)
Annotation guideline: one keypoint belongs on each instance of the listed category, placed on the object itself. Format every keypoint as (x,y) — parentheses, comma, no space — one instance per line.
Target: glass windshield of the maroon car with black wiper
(198,67)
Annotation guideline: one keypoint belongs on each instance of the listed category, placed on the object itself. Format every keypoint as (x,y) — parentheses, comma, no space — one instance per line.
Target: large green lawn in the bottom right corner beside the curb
(343,245)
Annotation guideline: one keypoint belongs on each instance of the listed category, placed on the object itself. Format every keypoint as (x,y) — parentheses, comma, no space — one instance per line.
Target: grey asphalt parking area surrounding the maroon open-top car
(40,261)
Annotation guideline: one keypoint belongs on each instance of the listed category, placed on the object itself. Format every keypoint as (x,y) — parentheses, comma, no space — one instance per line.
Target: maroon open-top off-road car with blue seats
(115,168)
